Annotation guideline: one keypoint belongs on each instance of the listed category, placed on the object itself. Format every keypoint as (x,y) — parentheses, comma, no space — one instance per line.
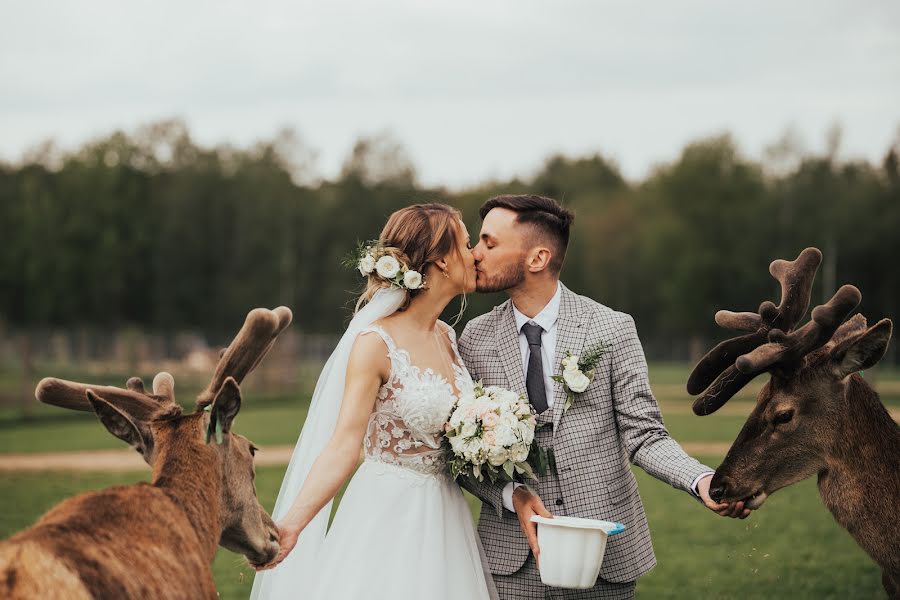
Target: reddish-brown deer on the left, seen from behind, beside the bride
(154,540)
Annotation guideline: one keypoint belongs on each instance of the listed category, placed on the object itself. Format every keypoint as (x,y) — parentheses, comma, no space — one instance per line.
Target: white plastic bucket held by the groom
(572,549)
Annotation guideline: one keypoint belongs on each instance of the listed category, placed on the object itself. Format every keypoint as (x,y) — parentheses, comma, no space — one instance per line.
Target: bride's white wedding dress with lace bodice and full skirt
(403,530)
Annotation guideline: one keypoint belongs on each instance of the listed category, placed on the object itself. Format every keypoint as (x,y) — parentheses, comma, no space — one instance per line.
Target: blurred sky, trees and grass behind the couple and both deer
(165,167)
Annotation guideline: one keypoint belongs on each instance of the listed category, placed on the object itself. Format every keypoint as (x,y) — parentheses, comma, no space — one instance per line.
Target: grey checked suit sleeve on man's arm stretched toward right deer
(640,422)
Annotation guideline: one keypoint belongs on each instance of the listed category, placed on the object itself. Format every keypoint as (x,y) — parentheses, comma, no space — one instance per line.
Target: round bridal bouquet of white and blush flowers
(491,432)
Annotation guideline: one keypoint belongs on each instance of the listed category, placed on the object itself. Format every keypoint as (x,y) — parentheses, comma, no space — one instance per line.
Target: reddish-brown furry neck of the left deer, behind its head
(191,476)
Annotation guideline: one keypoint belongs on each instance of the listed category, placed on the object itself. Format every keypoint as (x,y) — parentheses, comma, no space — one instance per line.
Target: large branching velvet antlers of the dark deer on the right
(733,363)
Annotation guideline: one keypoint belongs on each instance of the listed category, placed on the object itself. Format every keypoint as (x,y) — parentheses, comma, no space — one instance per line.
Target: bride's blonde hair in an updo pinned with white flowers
(417,236)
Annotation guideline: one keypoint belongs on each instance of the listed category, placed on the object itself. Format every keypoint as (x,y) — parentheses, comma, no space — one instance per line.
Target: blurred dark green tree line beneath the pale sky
(150,228)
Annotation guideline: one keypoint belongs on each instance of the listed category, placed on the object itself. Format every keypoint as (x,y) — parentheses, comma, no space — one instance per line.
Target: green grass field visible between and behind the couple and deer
(791,548)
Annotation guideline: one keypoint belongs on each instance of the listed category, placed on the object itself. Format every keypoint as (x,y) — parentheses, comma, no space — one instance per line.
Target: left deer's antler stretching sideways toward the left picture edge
(135,401)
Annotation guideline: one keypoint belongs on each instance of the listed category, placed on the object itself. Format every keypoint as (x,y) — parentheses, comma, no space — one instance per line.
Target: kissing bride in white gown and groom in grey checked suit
(403,530)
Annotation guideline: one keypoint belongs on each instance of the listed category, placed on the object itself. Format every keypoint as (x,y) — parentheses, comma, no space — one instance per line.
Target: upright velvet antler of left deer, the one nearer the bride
(251,344)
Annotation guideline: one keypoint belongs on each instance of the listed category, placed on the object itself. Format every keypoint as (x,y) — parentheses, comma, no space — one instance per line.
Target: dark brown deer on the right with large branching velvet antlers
(815,415)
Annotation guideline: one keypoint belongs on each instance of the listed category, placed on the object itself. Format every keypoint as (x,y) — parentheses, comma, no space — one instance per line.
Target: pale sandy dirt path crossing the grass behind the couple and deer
(129,460)
